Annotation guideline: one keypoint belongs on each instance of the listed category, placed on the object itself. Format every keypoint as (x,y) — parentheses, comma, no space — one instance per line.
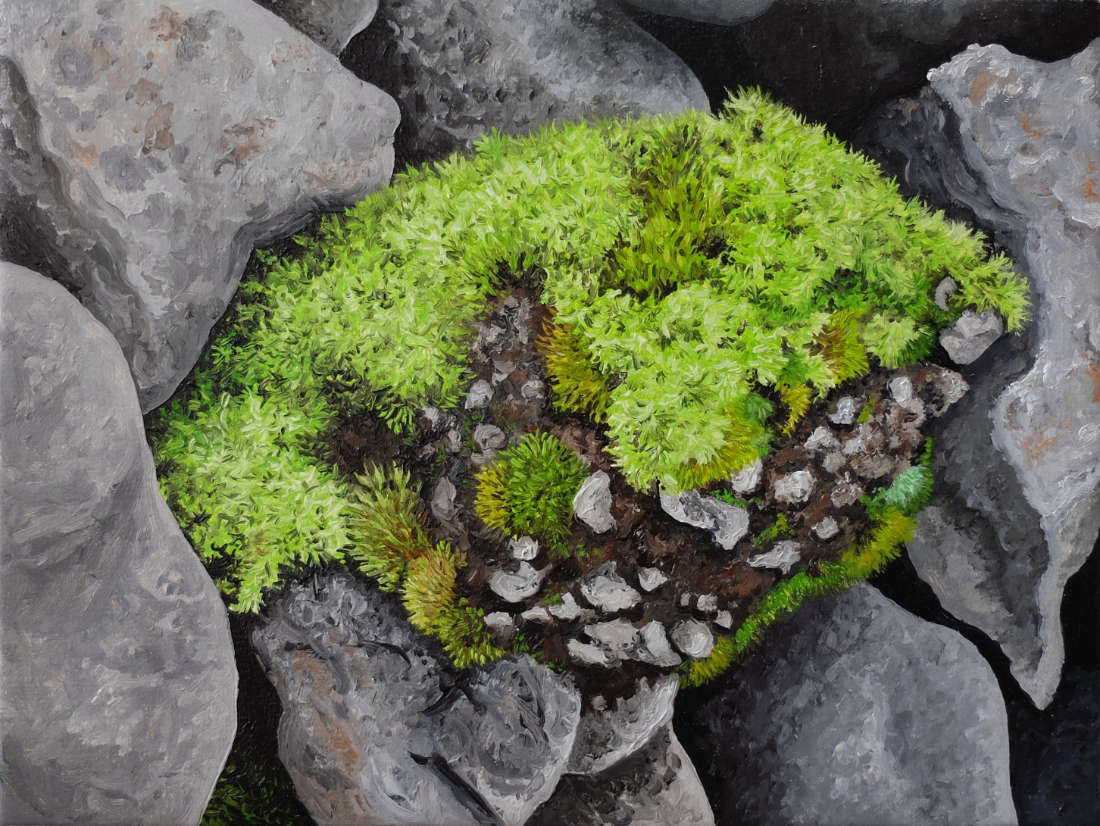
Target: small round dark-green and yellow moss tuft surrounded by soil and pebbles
(530,489)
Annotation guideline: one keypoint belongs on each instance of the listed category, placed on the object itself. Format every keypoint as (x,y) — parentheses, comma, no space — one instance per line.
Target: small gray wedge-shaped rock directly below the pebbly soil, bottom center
(606,740)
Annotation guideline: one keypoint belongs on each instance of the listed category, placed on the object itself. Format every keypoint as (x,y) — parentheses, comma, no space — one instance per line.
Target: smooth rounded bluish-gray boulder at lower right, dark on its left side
(856,712)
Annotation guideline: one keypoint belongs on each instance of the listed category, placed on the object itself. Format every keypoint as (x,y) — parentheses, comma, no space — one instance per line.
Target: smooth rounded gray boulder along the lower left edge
(119,686)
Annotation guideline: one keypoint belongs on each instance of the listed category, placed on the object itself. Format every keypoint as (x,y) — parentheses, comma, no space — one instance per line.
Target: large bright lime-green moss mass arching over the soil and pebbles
(698,265)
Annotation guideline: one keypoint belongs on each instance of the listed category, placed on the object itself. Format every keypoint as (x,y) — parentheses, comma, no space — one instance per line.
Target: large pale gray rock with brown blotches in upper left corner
(150,145)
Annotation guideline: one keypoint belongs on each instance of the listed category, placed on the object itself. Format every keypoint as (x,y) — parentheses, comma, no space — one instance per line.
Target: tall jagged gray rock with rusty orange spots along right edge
(1017,144)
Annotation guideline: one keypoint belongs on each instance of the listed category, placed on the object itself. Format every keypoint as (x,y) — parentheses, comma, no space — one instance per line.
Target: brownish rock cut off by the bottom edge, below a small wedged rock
(658,787)
